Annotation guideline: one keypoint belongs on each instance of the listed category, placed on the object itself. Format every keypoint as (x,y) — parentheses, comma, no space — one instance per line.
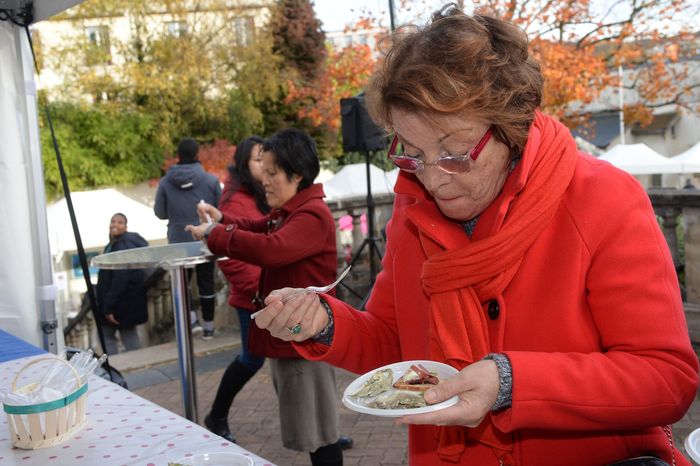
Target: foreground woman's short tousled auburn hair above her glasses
(466,65)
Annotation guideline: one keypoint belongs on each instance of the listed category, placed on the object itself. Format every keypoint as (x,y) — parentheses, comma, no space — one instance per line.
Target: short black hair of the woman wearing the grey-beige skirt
(295,153)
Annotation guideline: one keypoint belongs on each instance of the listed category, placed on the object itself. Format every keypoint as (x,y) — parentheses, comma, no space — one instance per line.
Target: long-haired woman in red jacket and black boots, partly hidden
(243,196)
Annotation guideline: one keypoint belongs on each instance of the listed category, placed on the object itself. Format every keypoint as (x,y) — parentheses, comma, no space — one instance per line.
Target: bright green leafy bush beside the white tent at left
(100,145)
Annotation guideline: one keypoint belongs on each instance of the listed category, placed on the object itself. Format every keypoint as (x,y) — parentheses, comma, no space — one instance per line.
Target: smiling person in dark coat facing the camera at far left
(121,296)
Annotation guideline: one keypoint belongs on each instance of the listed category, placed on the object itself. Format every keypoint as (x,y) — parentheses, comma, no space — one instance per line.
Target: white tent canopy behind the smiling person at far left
(93,211)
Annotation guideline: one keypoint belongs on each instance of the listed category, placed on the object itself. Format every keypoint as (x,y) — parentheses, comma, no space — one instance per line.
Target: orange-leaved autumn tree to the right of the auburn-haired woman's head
(581,47)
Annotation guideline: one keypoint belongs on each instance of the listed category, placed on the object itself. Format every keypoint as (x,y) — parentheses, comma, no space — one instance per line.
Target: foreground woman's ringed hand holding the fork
(304,310)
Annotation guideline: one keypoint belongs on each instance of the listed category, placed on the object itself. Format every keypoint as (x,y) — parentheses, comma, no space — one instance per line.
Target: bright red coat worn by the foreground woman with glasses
(592,322)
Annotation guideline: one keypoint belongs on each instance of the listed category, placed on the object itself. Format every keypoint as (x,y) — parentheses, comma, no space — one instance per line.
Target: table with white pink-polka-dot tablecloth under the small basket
(122,429)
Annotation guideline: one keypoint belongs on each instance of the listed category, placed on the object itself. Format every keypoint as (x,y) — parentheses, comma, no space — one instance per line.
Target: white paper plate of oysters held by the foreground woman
(358,404)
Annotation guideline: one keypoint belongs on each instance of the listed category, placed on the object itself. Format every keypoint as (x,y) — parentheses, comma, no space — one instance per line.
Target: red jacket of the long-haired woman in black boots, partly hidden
(243,278)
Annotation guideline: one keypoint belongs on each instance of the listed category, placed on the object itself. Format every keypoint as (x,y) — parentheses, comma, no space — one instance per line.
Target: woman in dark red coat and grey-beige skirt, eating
(295,246)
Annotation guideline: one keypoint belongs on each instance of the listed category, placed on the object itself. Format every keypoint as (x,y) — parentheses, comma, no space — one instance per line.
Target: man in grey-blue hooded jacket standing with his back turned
(179,191)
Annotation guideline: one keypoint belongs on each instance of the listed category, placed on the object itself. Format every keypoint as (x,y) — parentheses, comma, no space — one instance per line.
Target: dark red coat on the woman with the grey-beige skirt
(295,245)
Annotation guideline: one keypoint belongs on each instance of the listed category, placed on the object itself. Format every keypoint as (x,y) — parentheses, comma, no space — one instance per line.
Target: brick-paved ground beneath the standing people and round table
(253,418)
